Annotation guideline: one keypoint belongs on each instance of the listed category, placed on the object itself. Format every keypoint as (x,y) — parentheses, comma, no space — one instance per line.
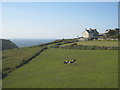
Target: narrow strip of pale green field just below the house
(98,43)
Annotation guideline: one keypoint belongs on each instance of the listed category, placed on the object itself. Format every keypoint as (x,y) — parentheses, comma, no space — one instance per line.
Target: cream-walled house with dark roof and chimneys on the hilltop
(90,34)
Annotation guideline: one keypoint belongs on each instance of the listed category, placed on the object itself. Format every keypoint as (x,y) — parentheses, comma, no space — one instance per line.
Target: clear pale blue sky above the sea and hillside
(56,19)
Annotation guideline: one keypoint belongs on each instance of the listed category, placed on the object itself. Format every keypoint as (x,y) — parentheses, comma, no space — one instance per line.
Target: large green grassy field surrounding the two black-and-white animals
(93,69)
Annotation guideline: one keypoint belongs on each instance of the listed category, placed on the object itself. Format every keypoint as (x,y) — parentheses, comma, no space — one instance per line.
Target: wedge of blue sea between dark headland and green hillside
(30,42)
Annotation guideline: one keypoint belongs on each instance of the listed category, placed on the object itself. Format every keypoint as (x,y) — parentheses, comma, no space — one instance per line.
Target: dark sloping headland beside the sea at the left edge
(7,44)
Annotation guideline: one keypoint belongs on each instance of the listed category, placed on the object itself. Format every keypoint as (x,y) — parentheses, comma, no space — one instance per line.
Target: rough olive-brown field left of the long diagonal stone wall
(13,57)
